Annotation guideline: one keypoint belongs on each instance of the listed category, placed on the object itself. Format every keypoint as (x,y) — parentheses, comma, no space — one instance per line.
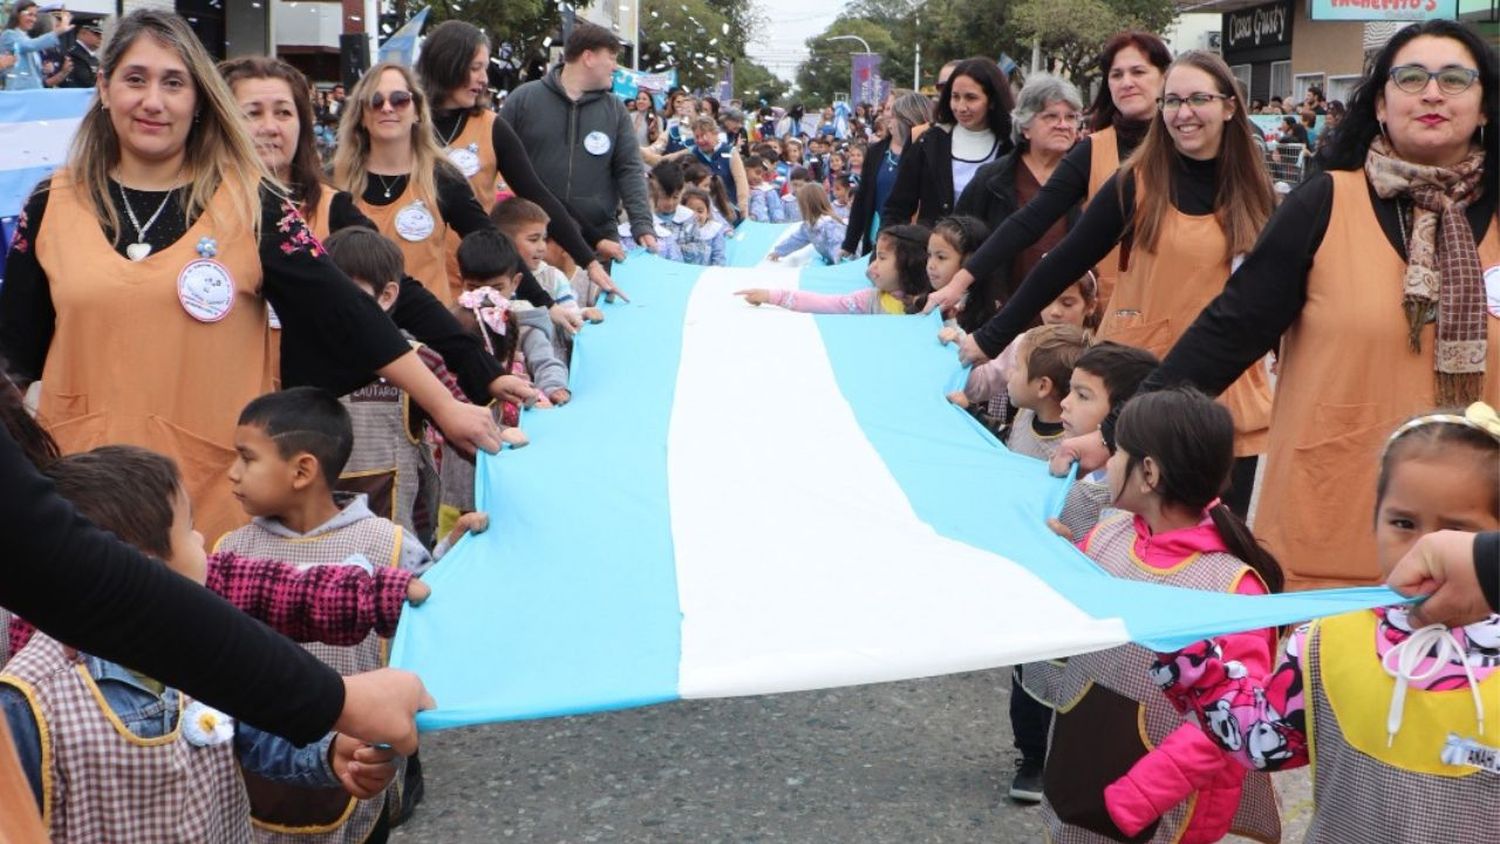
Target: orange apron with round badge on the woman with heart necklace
(130,365)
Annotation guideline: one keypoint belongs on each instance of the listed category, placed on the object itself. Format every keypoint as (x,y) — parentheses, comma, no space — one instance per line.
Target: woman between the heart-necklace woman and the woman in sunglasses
(274,97)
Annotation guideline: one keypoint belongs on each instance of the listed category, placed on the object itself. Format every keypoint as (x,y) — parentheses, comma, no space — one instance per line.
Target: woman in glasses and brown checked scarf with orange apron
(1381,281)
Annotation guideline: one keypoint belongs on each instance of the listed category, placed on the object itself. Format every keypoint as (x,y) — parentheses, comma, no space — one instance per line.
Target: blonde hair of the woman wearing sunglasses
(352,157)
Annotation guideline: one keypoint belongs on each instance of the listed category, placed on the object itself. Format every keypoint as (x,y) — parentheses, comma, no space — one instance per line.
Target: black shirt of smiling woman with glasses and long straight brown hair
(1105,224)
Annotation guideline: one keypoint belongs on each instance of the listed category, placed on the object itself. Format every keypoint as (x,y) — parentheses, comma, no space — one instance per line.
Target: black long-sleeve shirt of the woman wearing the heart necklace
(334,335)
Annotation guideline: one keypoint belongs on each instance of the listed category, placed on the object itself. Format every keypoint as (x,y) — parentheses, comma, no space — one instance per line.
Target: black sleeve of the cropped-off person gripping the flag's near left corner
(86,588)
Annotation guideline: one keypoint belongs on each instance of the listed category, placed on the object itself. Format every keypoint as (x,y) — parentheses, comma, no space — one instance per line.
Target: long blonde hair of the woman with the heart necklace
(218,151)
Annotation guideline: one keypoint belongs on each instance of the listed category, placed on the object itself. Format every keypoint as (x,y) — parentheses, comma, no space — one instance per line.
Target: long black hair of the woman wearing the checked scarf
(1349,142)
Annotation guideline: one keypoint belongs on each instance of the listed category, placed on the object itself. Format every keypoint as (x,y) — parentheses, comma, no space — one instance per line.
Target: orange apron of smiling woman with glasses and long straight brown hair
(1162,293)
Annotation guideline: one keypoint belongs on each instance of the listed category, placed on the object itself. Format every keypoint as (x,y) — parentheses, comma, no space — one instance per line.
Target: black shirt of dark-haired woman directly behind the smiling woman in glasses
(1067,187)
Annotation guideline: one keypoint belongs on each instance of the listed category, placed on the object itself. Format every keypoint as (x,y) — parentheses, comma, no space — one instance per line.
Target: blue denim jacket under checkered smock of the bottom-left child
(151,716)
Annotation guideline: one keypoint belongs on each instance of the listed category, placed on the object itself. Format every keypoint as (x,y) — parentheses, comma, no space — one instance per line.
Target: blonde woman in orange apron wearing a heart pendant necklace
(139,283)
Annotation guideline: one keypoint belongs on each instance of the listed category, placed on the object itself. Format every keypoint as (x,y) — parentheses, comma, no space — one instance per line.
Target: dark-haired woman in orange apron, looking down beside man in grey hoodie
(455,74)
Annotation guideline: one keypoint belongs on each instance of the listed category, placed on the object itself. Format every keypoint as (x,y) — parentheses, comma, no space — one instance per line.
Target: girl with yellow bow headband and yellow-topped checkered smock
(1396,708)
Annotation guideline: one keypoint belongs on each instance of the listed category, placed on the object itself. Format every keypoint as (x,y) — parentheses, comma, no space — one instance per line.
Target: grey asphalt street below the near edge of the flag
(907,762)
